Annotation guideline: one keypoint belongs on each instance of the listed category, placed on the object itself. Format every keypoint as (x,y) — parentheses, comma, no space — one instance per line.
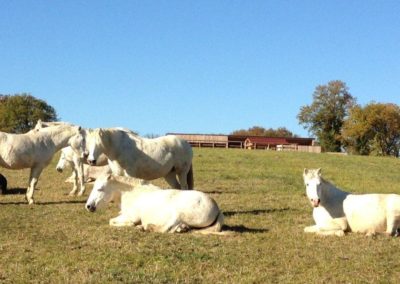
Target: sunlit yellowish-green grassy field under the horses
(263,198)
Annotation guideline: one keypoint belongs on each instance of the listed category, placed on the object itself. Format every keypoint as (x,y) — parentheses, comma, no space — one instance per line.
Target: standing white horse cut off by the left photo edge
(35,150)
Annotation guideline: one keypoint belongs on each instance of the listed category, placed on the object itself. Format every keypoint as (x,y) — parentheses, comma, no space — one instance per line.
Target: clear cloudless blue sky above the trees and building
(196,66)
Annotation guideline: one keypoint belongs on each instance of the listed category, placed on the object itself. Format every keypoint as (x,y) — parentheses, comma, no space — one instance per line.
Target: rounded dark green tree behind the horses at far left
(19,113)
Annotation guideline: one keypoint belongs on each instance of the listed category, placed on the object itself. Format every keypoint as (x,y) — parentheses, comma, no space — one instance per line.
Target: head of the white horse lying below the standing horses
(101,194)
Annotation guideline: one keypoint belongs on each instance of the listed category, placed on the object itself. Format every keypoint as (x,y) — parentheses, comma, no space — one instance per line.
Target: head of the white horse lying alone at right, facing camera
(313,182)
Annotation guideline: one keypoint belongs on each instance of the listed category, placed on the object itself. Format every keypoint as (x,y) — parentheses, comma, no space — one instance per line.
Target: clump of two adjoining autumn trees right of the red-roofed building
(340,124)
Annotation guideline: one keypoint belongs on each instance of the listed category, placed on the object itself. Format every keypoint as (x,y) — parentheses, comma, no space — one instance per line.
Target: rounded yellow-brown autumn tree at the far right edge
(373,129)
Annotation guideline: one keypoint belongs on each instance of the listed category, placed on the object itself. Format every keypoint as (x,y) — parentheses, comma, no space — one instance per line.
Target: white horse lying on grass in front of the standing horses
(158,210)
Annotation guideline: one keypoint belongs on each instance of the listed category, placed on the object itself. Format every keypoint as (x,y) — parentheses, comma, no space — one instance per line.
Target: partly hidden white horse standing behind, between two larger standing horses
(81,172)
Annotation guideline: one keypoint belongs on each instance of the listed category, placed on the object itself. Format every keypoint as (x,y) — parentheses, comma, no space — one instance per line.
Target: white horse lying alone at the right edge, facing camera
(336,211)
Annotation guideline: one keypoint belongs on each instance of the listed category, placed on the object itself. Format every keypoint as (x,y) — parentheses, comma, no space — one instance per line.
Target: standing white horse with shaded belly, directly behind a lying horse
(166,156)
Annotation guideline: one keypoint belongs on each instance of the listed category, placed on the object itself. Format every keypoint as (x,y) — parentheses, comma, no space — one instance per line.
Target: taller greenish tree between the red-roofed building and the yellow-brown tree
(325,116)
